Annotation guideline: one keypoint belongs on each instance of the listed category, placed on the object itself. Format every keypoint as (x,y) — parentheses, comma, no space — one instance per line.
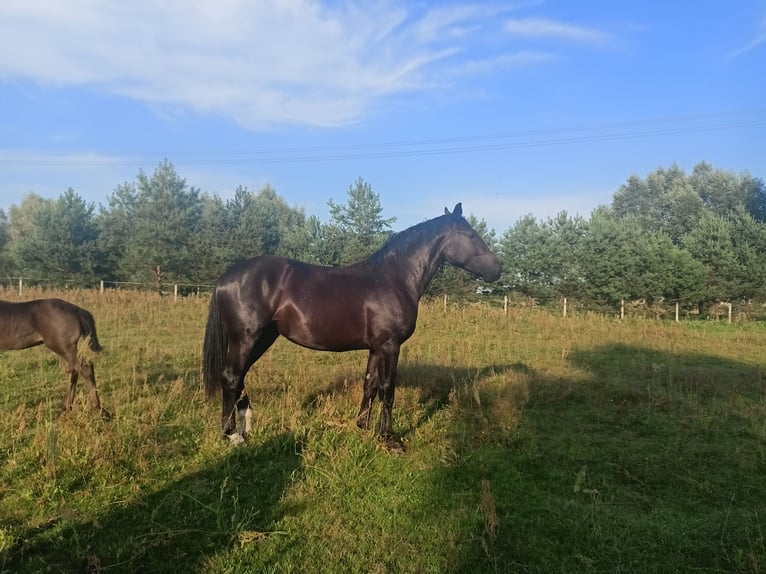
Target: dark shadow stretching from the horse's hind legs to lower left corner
(174,529)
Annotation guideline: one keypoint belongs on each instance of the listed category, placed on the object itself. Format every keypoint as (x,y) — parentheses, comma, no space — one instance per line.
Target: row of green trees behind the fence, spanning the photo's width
(692,238)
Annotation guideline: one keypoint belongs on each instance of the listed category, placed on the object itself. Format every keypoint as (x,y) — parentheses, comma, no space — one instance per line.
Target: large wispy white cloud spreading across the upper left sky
(256,61)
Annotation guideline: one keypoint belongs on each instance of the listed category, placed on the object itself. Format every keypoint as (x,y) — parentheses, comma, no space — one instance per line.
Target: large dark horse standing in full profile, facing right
(372,304)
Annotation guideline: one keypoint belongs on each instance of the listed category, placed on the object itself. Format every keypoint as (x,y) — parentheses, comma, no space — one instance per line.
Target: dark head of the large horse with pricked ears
(464,248)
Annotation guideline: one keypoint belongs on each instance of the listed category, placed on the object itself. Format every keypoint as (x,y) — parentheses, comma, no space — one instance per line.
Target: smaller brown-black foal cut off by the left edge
(59,325)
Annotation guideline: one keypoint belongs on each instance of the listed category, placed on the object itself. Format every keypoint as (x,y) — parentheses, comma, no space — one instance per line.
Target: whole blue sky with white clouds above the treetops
(513,108)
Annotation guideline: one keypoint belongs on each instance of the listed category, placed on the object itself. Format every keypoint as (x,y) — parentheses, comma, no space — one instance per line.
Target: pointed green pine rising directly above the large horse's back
(359,224)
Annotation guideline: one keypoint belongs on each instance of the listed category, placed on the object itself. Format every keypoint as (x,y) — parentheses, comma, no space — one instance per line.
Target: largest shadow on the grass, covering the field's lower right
(653,463)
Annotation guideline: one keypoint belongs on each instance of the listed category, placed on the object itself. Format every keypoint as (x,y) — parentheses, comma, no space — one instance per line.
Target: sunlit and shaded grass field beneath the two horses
(535,443)
